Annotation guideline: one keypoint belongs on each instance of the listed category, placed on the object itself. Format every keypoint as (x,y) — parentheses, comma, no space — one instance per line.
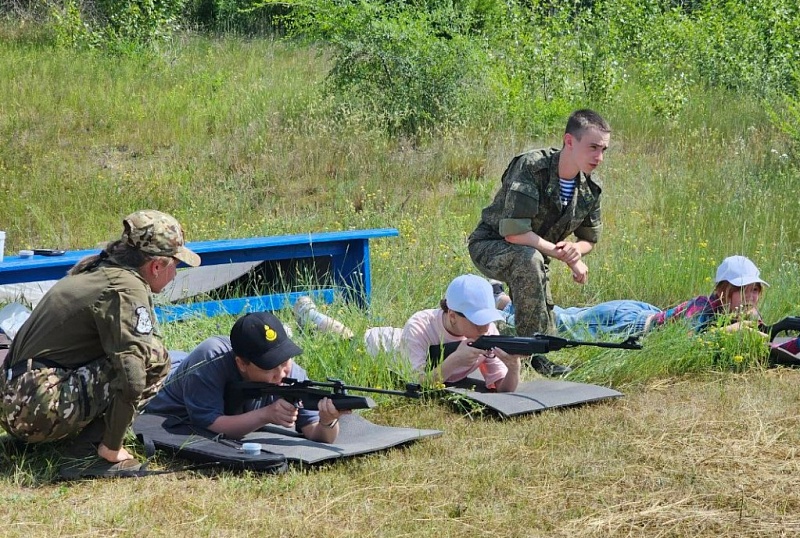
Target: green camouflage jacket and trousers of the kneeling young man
(529,200)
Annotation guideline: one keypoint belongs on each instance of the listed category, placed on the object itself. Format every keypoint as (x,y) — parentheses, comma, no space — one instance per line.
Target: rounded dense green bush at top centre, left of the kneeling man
(404,67)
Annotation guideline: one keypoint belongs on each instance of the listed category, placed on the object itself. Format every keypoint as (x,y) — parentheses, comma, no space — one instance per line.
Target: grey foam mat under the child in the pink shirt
(531,396)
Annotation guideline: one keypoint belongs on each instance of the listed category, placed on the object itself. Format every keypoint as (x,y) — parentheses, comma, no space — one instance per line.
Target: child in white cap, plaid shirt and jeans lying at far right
(737,292)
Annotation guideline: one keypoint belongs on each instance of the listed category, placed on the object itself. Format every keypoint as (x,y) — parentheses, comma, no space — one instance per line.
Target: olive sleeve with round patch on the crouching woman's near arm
(126,323)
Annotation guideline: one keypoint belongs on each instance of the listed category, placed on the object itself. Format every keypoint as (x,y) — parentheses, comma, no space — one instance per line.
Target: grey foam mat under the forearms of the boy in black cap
(357,436)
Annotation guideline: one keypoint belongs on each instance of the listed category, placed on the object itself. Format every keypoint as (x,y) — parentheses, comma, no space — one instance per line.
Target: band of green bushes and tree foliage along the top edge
(415,66)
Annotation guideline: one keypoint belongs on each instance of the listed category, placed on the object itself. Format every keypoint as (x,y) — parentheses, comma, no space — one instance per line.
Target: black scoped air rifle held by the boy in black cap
(308,393)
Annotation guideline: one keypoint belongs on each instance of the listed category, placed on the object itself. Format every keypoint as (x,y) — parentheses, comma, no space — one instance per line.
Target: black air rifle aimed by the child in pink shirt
(527,345)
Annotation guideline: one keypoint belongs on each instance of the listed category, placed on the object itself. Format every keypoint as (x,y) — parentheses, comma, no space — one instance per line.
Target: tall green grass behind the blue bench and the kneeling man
(234,137)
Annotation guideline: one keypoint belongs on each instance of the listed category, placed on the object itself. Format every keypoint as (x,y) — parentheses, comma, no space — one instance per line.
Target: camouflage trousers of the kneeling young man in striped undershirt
(527,273)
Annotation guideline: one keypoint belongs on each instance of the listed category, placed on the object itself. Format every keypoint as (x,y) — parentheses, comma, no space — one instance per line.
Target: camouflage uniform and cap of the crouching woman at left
(91,347)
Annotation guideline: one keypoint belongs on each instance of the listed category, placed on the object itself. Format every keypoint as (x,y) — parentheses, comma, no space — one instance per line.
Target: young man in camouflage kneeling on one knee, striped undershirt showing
(546,195)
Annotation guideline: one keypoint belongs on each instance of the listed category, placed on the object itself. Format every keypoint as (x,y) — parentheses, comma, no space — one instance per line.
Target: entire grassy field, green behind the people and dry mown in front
(233,137)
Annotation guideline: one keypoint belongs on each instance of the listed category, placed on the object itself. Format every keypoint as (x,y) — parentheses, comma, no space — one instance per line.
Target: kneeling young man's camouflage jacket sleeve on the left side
(522,198)
